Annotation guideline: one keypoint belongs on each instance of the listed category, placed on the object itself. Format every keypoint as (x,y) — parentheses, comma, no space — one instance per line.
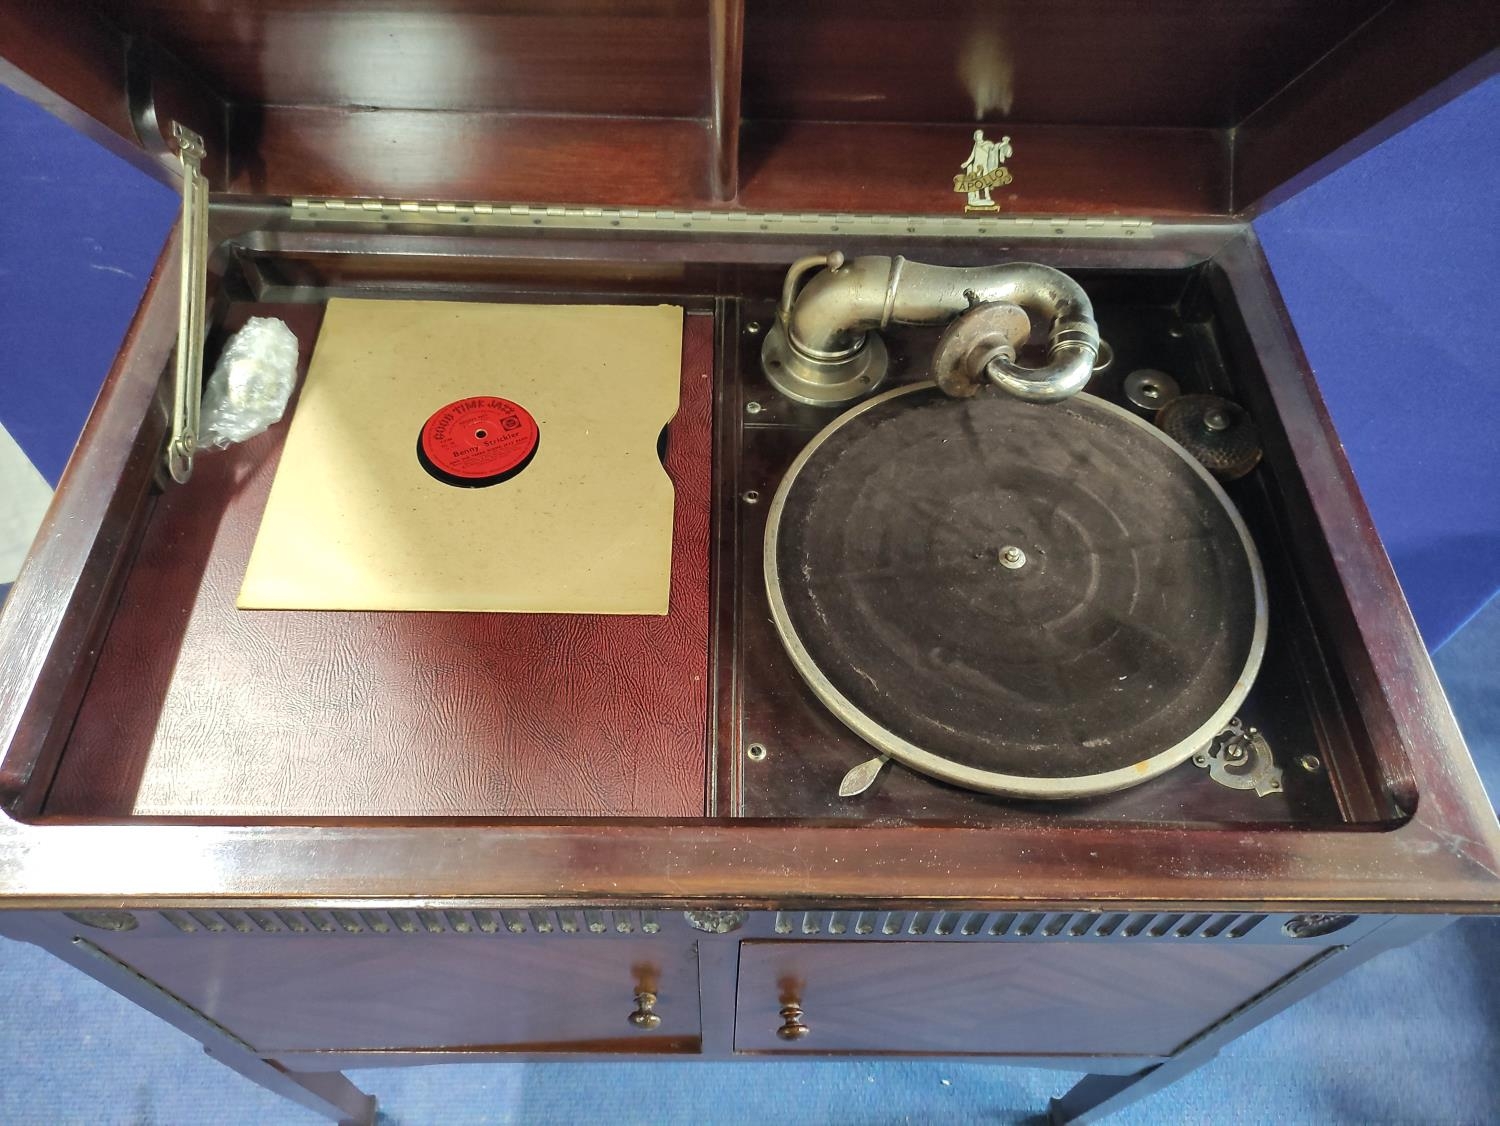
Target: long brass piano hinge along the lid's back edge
(664,221)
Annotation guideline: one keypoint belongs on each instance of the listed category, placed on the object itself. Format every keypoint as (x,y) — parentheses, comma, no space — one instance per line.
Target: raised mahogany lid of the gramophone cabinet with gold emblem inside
(1148,109)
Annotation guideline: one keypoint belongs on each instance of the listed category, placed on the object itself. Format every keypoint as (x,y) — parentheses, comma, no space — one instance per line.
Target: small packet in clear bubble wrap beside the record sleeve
(251,385)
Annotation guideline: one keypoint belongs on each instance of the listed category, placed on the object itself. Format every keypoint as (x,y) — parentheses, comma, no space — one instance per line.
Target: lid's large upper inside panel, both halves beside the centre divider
(1138,62)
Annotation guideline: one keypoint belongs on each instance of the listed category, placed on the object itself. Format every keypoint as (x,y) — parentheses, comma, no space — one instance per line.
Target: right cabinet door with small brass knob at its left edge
(997,999)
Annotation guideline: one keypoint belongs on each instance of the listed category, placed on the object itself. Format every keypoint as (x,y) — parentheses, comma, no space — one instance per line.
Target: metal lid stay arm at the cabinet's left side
(188,379)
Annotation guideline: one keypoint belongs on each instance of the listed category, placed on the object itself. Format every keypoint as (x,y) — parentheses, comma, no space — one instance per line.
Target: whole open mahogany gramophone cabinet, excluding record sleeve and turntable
(322,842)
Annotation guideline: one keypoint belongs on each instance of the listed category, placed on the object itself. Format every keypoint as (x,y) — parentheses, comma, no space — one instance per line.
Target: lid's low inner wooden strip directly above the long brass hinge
(782,167)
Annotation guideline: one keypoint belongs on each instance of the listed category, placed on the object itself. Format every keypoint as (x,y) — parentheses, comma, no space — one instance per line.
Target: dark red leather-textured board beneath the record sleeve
(202,710)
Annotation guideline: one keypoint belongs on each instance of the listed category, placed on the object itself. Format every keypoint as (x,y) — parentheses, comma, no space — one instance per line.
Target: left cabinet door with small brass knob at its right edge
(391,992)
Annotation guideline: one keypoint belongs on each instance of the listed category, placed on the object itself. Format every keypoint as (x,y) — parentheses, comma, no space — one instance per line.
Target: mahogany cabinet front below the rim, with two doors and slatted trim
(311,992)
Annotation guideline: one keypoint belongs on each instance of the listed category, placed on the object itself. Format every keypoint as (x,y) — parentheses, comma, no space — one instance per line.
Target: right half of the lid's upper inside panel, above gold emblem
(1138,64)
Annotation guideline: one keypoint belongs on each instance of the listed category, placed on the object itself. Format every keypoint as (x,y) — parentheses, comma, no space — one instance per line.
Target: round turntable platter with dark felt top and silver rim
(1036,600)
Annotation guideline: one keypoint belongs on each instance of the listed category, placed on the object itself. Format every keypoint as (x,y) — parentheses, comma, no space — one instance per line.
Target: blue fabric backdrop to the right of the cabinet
(1390,269)
